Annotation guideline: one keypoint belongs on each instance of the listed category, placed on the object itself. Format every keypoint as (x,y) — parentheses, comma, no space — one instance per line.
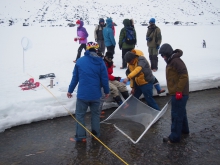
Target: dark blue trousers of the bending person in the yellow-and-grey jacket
(147,91)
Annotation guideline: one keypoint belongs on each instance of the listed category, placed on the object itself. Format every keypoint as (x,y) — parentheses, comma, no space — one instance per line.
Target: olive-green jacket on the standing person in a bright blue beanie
(155,35)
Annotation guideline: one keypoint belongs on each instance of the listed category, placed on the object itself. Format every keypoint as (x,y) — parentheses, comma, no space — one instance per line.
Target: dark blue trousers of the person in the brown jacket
(179,118)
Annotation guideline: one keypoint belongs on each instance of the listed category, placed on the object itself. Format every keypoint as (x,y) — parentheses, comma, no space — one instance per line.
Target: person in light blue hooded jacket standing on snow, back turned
(108,35)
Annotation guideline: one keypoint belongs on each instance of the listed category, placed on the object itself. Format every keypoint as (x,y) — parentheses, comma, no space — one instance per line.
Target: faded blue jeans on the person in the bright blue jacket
(81,108)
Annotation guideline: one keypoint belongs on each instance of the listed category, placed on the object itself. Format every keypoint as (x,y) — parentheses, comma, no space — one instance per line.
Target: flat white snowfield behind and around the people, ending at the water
(52,50)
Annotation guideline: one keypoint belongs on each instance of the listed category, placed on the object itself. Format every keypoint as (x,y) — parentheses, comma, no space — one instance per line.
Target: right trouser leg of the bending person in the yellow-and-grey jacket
(147,90)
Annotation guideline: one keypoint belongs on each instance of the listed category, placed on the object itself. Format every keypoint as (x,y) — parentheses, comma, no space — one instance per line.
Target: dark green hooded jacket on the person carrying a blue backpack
(122,35)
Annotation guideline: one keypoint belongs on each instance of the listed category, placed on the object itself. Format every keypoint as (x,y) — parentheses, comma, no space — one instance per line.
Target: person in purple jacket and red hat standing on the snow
(82,37)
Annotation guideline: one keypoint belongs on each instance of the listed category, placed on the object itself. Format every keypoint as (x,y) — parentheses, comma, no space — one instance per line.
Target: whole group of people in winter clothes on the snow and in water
(93,75)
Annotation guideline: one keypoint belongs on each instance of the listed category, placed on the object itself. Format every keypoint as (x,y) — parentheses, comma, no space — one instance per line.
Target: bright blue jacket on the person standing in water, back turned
(91,74)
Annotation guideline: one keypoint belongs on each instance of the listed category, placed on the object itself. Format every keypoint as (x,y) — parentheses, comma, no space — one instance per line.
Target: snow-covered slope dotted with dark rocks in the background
(61,13)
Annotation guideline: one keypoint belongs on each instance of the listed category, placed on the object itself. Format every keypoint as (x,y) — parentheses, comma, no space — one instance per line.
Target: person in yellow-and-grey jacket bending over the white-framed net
(140,76)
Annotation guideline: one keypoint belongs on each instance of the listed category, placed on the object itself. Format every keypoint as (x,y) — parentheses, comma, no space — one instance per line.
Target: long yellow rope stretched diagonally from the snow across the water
(82,125)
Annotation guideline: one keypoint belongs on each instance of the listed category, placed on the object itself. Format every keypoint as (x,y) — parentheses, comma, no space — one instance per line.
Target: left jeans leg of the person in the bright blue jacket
(81,108)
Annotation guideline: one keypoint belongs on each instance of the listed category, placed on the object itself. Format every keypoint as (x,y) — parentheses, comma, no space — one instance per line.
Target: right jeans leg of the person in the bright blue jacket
(95,117)
